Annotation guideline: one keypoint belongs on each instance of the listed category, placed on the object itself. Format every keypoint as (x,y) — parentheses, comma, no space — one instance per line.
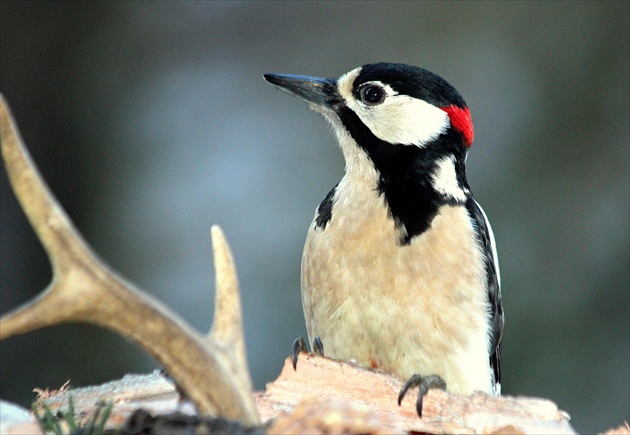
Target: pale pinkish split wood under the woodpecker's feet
(322,382)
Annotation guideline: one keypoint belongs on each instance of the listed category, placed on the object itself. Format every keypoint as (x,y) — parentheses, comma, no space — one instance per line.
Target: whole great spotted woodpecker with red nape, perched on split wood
(399,270)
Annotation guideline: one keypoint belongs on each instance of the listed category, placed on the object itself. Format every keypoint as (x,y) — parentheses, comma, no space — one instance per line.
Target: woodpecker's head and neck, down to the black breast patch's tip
(404,132)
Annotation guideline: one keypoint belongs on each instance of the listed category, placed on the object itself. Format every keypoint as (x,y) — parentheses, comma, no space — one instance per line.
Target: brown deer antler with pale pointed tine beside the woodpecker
(212,371)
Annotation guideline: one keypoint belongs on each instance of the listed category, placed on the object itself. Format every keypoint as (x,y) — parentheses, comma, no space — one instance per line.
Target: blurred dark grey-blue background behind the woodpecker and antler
(151,122)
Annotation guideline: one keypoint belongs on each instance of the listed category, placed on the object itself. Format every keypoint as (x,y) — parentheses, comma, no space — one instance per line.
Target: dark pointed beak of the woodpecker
(314,90)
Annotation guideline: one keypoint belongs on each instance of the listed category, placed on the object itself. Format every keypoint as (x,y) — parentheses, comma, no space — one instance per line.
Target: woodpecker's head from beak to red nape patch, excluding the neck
(398,104)
